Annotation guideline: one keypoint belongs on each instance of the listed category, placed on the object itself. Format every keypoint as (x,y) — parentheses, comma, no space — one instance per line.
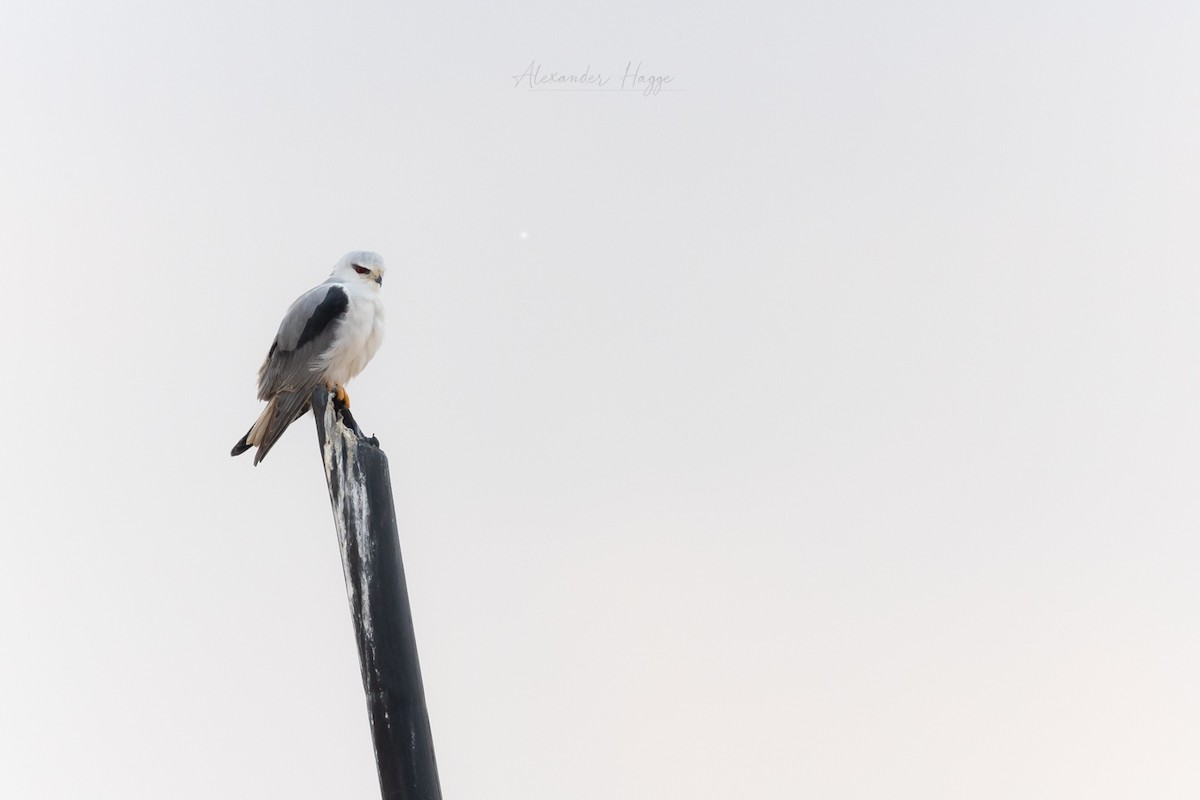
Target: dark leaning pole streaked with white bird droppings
(361,492)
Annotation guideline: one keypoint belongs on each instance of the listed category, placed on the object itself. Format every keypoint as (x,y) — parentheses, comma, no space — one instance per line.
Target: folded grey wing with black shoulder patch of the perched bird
(308,330)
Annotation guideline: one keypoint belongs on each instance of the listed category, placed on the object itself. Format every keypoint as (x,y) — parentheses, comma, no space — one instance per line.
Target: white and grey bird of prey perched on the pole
(328,336)
